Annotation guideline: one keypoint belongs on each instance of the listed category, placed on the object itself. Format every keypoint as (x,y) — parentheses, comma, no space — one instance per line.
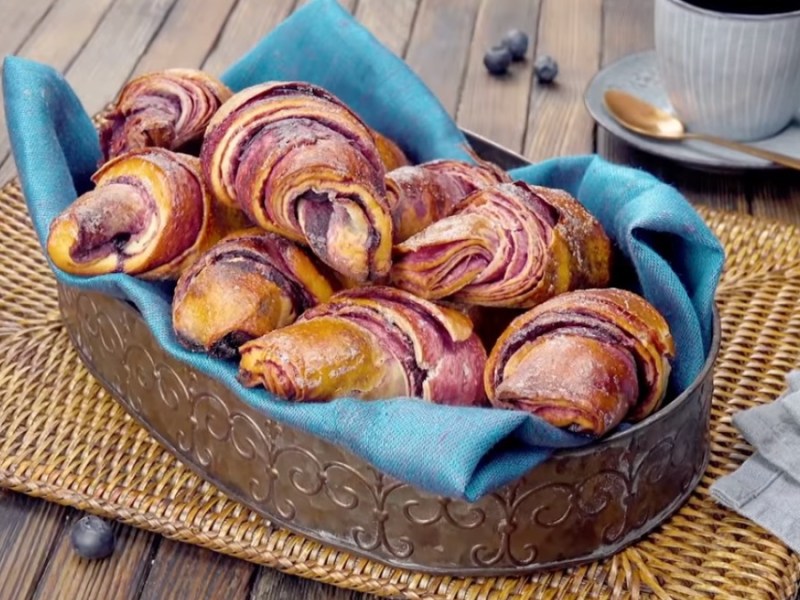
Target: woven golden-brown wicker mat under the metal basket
(64,439)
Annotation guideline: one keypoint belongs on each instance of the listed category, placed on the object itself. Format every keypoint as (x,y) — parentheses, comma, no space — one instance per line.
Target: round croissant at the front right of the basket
(584,360)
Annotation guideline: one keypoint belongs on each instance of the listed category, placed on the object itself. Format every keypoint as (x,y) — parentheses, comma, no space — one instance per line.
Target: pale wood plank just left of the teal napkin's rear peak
(248,22)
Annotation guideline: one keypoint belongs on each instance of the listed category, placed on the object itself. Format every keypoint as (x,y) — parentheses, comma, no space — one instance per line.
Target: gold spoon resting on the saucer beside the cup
(646,119)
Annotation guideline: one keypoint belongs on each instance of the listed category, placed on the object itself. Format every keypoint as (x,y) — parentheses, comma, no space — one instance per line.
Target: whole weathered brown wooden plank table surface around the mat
(99,44)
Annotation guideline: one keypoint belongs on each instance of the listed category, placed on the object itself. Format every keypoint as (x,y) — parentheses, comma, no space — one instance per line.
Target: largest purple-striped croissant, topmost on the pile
(302,164)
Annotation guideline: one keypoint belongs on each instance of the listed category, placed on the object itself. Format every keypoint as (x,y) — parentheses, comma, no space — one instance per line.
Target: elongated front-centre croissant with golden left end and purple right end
(372,342)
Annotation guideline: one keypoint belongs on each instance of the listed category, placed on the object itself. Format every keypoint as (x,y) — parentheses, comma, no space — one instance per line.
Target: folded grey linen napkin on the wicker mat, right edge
(766,488)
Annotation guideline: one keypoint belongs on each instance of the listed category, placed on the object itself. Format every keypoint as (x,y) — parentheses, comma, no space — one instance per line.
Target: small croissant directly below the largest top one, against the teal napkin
(245,286)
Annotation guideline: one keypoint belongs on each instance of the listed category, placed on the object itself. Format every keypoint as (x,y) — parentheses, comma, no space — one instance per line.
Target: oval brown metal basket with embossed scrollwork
(580,505)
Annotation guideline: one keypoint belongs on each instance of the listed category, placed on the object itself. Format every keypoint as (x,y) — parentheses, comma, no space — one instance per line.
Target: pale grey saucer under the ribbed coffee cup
(638,74)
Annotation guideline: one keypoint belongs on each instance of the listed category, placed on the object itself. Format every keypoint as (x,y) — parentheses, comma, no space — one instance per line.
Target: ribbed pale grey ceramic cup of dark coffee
(732,75)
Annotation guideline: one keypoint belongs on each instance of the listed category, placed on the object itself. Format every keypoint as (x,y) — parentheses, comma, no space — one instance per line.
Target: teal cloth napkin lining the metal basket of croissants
(458,452)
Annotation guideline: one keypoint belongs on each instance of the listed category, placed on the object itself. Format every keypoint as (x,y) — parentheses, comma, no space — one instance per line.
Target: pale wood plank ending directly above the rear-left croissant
(187,35)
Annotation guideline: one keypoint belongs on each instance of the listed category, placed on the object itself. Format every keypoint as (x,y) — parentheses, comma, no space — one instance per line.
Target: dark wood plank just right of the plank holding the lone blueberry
(184,572)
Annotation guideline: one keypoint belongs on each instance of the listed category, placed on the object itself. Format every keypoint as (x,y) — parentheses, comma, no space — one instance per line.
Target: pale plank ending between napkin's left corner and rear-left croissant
(109,57)
